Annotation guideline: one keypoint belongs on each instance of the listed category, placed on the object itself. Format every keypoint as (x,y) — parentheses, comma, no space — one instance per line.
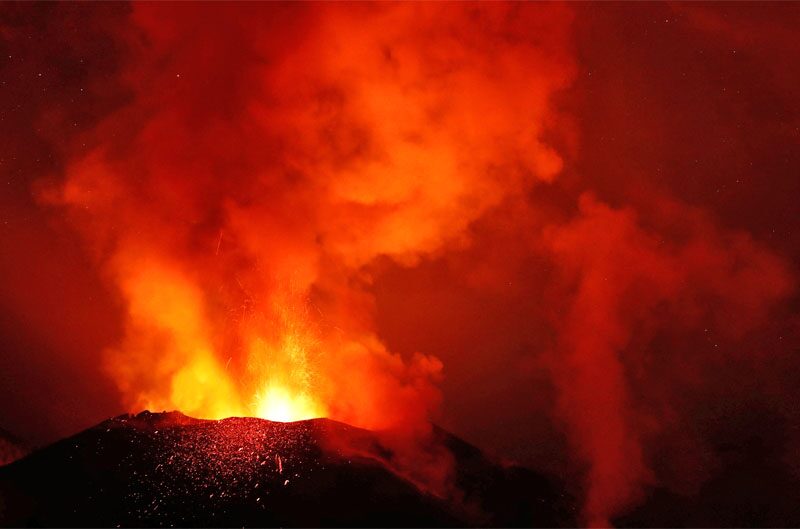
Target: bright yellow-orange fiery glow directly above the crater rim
(167,313)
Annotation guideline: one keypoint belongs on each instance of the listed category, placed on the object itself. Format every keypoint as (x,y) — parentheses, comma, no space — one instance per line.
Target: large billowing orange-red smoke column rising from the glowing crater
(266,155)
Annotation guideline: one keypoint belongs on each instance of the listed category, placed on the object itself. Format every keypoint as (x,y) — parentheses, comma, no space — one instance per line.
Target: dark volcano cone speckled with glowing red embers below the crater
(167,469)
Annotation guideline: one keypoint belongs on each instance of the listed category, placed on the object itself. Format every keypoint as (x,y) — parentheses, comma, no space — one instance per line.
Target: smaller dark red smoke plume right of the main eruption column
(625,285)
